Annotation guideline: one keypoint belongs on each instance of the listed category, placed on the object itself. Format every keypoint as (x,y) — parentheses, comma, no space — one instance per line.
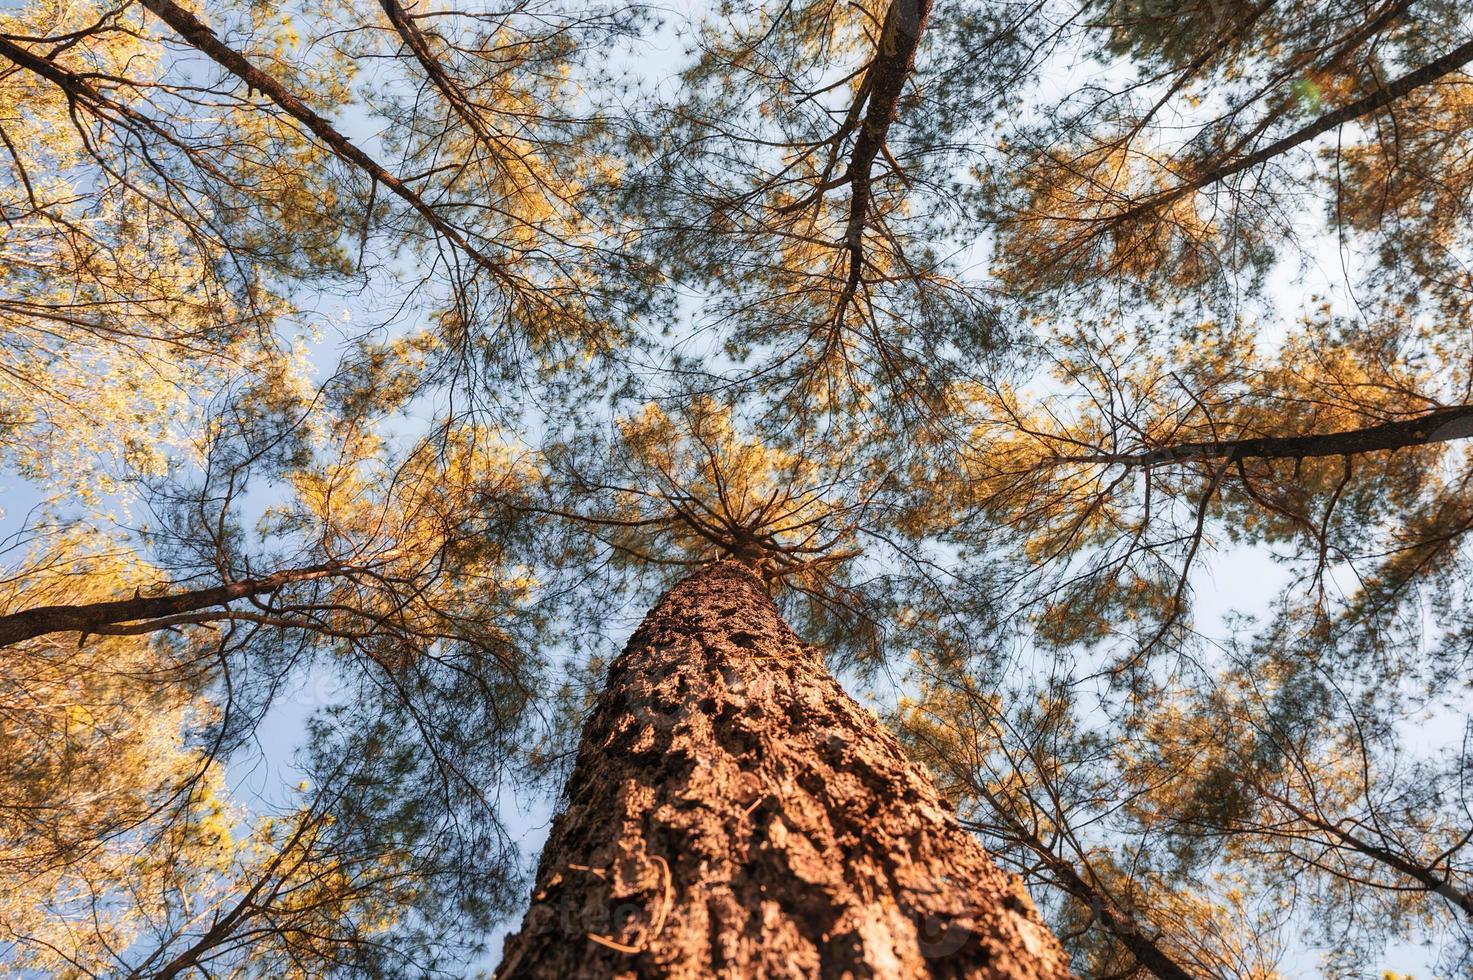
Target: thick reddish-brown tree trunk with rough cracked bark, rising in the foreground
(736,814)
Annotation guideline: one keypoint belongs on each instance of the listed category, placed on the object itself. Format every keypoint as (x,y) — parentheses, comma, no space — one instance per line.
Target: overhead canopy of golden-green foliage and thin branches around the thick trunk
(1091,381)
